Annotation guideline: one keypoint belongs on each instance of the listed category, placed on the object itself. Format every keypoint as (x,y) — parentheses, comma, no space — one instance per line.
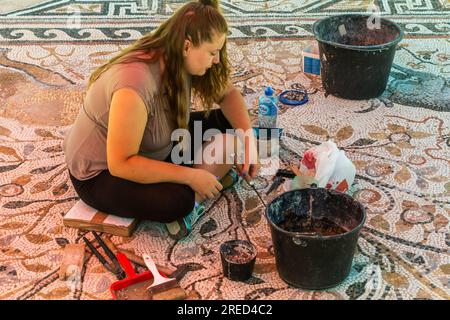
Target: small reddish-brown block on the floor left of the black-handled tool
(72,262)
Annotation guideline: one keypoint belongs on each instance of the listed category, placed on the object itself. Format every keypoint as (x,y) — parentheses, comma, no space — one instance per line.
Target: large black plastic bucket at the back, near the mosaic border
(355,55)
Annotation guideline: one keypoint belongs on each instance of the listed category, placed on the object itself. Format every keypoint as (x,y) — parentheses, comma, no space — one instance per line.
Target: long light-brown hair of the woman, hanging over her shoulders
(198,22)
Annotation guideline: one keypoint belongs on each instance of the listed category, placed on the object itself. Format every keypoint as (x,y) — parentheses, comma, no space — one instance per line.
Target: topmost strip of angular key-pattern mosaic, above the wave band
(232,8)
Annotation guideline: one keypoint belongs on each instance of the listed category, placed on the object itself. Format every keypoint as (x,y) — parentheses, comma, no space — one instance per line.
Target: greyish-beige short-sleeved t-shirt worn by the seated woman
(85,143)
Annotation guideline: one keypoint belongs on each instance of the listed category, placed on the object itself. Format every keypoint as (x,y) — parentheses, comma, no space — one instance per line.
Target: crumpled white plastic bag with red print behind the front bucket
(327,167)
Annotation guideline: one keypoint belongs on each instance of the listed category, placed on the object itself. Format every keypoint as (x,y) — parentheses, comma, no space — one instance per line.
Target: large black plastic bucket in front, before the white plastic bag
(314,261)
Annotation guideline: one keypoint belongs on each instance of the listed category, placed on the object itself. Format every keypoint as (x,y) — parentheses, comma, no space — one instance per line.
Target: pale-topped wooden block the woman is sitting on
(83,216)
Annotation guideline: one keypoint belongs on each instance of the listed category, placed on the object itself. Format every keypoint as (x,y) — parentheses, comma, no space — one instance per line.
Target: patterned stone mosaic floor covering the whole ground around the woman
(400,147)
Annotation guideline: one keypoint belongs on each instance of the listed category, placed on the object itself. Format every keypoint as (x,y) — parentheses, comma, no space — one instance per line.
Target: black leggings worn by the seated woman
(162,202)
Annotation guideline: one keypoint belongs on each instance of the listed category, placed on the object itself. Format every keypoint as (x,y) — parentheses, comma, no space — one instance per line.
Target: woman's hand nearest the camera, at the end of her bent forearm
(204,183)
